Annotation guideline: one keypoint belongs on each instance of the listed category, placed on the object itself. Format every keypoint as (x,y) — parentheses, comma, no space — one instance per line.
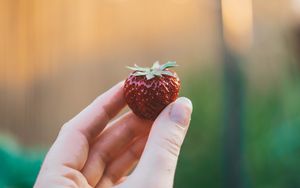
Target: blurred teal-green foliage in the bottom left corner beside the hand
(19,167)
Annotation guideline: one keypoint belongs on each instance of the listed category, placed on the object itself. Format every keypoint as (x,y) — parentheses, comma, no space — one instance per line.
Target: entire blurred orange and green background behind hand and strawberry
(239,63)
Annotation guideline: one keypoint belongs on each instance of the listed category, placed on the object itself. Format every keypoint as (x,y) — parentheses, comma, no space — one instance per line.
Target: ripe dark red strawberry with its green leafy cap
(149,90)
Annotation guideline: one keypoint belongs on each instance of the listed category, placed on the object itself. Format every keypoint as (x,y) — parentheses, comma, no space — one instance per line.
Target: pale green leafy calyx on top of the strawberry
(156,70)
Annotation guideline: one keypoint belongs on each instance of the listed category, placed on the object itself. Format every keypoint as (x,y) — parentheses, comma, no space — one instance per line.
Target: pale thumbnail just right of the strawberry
(181,111)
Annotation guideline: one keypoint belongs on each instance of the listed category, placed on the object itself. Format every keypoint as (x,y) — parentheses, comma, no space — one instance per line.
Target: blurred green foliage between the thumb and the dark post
(200,163)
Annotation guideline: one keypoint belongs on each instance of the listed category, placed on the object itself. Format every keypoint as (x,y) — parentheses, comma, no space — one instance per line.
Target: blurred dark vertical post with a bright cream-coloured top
(235,23)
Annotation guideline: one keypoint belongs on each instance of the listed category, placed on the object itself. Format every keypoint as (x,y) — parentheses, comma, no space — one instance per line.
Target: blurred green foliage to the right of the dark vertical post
(272,143)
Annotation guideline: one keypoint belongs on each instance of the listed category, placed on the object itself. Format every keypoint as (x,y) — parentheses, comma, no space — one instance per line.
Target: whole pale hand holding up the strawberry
(91,151)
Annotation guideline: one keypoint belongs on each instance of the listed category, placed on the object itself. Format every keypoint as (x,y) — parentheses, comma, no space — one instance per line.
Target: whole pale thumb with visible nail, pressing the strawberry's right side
(158,162)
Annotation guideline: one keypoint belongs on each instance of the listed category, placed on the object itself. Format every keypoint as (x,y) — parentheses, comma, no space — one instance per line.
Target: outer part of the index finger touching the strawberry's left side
(93,119)
